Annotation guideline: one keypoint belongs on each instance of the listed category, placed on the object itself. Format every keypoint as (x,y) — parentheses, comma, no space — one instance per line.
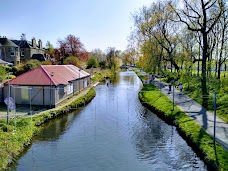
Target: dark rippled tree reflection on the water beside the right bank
(155,138)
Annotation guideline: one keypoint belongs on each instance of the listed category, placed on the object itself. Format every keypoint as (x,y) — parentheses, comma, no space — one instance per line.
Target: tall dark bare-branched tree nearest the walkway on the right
(201,17)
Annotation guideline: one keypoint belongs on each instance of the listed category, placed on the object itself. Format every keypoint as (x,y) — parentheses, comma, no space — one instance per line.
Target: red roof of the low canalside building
(50,74)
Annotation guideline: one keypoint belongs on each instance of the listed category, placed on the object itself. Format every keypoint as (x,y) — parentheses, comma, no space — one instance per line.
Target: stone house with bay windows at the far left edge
(9,51)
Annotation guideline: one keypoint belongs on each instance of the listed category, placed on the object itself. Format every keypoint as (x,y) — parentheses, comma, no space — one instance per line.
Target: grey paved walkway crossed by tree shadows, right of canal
(203,117)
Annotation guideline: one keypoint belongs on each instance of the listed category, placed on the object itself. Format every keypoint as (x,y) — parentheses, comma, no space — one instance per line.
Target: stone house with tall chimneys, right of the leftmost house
(29,49)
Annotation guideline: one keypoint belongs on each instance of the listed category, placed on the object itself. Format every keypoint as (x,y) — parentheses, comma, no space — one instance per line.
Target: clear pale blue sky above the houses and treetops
(98,23)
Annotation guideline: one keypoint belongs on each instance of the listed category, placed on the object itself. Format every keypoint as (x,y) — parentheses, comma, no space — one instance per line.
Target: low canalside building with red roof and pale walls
(47,85)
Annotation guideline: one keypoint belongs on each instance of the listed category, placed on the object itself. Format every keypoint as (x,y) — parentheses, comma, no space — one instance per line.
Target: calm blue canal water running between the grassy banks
(112,133)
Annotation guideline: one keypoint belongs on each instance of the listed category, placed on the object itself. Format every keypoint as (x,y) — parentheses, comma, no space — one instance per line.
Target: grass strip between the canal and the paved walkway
(213,154)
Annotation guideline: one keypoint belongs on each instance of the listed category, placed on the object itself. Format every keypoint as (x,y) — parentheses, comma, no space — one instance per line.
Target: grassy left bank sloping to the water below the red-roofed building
(13,142)
